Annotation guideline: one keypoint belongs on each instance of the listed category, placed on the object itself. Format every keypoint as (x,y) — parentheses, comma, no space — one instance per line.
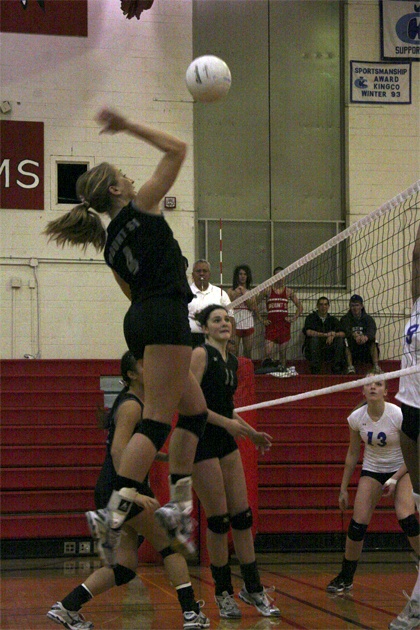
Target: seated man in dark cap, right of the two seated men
(360,331)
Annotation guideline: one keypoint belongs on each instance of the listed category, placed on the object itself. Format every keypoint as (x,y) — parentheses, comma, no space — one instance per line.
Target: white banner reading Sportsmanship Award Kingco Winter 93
(380,82)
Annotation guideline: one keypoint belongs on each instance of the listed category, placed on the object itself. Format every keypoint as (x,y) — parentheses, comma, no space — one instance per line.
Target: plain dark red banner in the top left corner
(44,17)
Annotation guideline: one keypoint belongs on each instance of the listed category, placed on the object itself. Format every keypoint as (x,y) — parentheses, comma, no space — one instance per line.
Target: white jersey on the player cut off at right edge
(409,391)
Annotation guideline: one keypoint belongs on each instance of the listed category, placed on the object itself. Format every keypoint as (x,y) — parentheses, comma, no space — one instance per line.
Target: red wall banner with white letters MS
(21,165)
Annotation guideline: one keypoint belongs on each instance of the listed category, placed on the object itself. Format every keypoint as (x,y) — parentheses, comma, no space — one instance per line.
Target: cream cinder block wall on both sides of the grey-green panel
(69,306)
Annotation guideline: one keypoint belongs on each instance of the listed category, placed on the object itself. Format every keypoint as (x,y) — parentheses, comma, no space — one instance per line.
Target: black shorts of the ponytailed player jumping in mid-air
(159,320)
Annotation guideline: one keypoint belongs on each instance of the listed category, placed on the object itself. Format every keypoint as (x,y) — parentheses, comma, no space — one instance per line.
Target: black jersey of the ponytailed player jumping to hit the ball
(141,248)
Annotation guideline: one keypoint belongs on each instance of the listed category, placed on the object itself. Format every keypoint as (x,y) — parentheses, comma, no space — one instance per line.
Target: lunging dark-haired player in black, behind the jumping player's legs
(121,421)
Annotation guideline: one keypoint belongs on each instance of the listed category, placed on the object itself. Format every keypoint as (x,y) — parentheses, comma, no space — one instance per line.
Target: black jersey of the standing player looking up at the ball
(219,381)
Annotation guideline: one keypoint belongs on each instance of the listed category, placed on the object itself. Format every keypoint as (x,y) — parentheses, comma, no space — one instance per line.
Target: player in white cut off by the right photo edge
(409,396)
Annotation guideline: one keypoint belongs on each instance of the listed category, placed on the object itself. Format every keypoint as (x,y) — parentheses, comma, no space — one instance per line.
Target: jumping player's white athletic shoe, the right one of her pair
(179,526)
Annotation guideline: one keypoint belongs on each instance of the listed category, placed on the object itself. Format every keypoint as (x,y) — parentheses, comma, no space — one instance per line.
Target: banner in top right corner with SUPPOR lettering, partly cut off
(400,29)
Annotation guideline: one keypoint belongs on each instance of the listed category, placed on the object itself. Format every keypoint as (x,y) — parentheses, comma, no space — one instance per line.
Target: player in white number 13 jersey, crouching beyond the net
(384,473)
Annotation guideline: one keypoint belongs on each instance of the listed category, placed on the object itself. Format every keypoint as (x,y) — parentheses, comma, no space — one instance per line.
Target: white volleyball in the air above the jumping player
(208,79)
